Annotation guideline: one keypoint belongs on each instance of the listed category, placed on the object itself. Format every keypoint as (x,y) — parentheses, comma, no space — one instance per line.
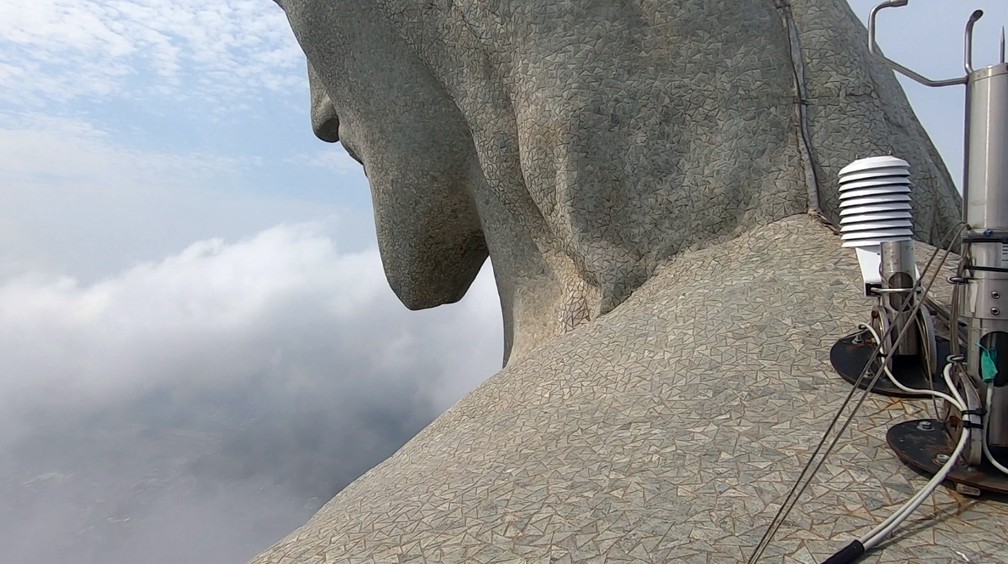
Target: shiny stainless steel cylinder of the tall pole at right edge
(986,212)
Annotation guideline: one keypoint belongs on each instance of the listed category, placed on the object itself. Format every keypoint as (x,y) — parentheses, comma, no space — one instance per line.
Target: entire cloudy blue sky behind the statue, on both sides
(198,345)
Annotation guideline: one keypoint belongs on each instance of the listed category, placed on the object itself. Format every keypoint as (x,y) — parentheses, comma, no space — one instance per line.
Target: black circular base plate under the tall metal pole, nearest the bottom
(921,445)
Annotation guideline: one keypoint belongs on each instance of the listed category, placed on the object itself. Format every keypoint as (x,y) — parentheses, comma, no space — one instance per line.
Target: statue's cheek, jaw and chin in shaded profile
(371,93)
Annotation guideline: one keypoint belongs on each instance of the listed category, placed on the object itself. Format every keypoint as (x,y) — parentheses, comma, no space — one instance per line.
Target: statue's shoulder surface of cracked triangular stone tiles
(670,431)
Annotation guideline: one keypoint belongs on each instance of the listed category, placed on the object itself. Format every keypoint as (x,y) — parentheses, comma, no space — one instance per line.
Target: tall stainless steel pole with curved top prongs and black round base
(984,378)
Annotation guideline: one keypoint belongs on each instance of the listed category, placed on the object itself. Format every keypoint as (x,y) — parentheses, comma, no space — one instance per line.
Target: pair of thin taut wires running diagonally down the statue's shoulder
(799,488)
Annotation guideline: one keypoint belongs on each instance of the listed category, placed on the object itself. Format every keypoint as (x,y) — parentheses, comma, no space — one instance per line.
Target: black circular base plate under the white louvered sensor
(850,355)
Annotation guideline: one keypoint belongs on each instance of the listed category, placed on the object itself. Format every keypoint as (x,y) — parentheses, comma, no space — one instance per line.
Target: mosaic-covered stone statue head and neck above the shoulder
(581,146)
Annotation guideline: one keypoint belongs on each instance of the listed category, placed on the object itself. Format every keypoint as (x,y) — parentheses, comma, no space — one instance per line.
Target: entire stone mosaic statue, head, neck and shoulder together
(651,180)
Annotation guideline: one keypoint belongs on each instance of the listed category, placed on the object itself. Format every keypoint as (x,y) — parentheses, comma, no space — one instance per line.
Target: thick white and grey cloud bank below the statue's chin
(197,408)
